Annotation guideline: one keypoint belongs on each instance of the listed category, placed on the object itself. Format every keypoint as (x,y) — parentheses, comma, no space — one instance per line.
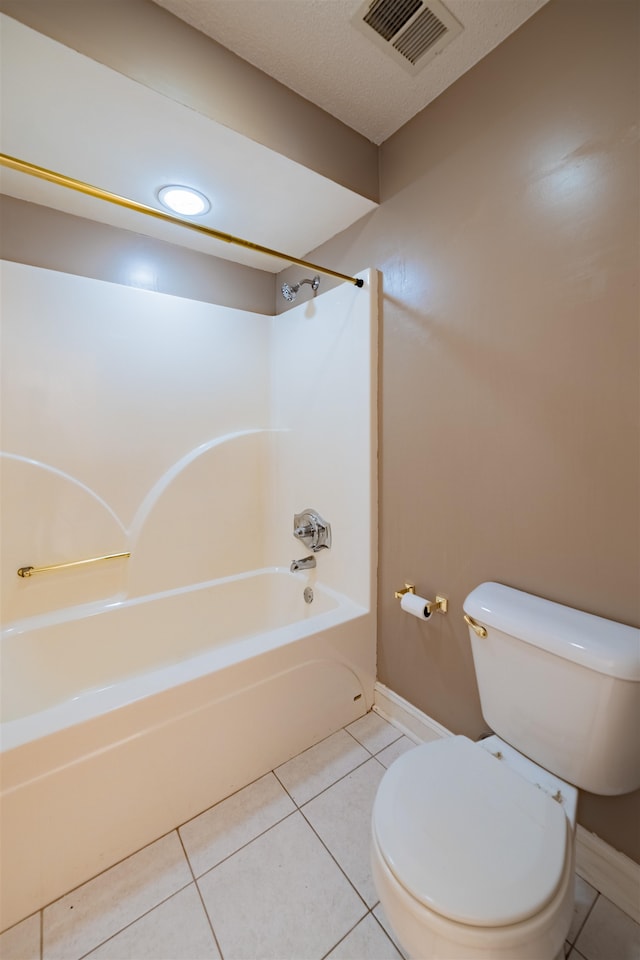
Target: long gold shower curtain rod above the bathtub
(22,166)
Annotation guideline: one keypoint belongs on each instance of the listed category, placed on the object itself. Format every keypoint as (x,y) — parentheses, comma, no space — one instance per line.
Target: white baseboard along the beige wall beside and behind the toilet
(612,873)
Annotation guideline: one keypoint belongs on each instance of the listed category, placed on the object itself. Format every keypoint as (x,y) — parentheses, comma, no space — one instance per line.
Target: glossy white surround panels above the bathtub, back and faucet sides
(133,420)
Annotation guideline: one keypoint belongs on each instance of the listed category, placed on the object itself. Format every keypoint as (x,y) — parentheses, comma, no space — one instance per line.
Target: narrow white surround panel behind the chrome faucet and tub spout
(324,389)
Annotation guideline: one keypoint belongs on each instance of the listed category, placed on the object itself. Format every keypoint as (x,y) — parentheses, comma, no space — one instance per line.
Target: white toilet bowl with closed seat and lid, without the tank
(472,859)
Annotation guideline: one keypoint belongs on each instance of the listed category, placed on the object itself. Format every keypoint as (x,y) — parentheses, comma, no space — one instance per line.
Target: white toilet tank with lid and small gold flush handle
(560,685)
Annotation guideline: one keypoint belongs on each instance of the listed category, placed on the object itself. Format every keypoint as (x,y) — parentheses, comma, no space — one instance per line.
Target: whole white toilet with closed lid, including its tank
(473,843)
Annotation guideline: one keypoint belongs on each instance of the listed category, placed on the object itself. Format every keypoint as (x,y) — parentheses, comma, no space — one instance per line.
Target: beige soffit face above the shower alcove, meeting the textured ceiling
(150,45)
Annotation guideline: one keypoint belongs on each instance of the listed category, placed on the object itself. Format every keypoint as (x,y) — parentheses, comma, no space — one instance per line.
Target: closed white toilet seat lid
(467,837)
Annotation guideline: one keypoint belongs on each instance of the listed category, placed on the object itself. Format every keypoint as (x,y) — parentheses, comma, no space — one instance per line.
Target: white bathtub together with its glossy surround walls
(189,435)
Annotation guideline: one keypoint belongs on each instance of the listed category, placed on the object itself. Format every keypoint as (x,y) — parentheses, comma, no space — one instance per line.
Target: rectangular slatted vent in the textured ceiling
(412,32)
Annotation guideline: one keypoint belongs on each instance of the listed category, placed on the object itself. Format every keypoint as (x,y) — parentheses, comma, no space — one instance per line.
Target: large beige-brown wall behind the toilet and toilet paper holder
(508,241)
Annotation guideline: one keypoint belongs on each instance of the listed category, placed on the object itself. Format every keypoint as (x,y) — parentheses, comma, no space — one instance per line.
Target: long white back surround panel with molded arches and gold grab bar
(112,399)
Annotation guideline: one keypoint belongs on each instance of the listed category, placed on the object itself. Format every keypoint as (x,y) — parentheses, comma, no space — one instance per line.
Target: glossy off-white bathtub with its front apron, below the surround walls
(123,720)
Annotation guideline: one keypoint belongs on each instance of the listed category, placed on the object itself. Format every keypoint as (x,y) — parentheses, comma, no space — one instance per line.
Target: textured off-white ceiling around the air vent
(312,47)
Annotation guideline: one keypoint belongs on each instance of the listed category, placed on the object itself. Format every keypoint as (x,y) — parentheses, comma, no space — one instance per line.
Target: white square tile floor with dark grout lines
(278,870)
